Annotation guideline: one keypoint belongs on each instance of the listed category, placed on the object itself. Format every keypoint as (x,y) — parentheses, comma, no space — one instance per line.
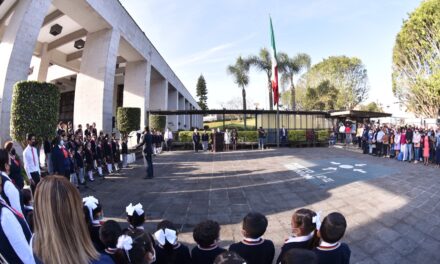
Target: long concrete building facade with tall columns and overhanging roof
(95,53)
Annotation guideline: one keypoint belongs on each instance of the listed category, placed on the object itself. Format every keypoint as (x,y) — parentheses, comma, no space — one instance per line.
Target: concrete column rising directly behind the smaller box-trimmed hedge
(137,87)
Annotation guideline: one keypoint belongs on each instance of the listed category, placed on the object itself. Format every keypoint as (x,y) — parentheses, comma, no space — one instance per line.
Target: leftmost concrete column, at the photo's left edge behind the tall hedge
(16,49)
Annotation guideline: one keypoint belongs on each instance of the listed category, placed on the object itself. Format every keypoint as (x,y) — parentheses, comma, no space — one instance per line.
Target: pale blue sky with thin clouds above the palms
(205,36)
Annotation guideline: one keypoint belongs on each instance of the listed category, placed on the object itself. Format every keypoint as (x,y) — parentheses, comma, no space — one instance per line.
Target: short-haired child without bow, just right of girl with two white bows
(206,235)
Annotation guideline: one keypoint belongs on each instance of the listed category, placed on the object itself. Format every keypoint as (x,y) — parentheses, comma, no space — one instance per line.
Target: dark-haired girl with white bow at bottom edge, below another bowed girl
(136,248)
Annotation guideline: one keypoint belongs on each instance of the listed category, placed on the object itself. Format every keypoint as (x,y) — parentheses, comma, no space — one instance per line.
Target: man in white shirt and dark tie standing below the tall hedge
(31,161)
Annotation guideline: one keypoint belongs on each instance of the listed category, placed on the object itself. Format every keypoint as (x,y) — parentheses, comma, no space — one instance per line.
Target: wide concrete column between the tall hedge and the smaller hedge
(95,82)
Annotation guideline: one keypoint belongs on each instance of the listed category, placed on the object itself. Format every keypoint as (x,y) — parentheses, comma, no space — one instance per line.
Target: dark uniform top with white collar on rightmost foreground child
(337,253)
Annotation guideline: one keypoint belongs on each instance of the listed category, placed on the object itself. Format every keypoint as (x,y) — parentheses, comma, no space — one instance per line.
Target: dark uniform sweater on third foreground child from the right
(255,251)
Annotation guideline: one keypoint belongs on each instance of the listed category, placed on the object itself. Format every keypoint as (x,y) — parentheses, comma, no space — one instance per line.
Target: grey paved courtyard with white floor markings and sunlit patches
(392,208)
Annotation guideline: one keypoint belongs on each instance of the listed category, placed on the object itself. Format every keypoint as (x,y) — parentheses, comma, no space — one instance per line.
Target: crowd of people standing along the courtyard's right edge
(404,143)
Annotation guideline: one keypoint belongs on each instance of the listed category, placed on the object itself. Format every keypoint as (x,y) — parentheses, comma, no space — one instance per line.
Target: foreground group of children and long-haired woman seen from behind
(68,229)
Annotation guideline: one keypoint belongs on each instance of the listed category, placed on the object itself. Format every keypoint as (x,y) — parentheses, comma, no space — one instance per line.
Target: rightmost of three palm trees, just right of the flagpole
(291,67)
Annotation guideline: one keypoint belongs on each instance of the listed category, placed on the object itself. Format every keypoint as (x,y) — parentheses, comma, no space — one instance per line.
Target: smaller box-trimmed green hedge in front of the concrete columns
(128,119)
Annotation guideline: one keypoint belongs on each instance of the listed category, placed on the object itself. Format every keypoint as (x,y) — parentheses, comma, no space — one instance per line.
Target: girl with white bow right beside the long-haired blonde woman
(93,215)
